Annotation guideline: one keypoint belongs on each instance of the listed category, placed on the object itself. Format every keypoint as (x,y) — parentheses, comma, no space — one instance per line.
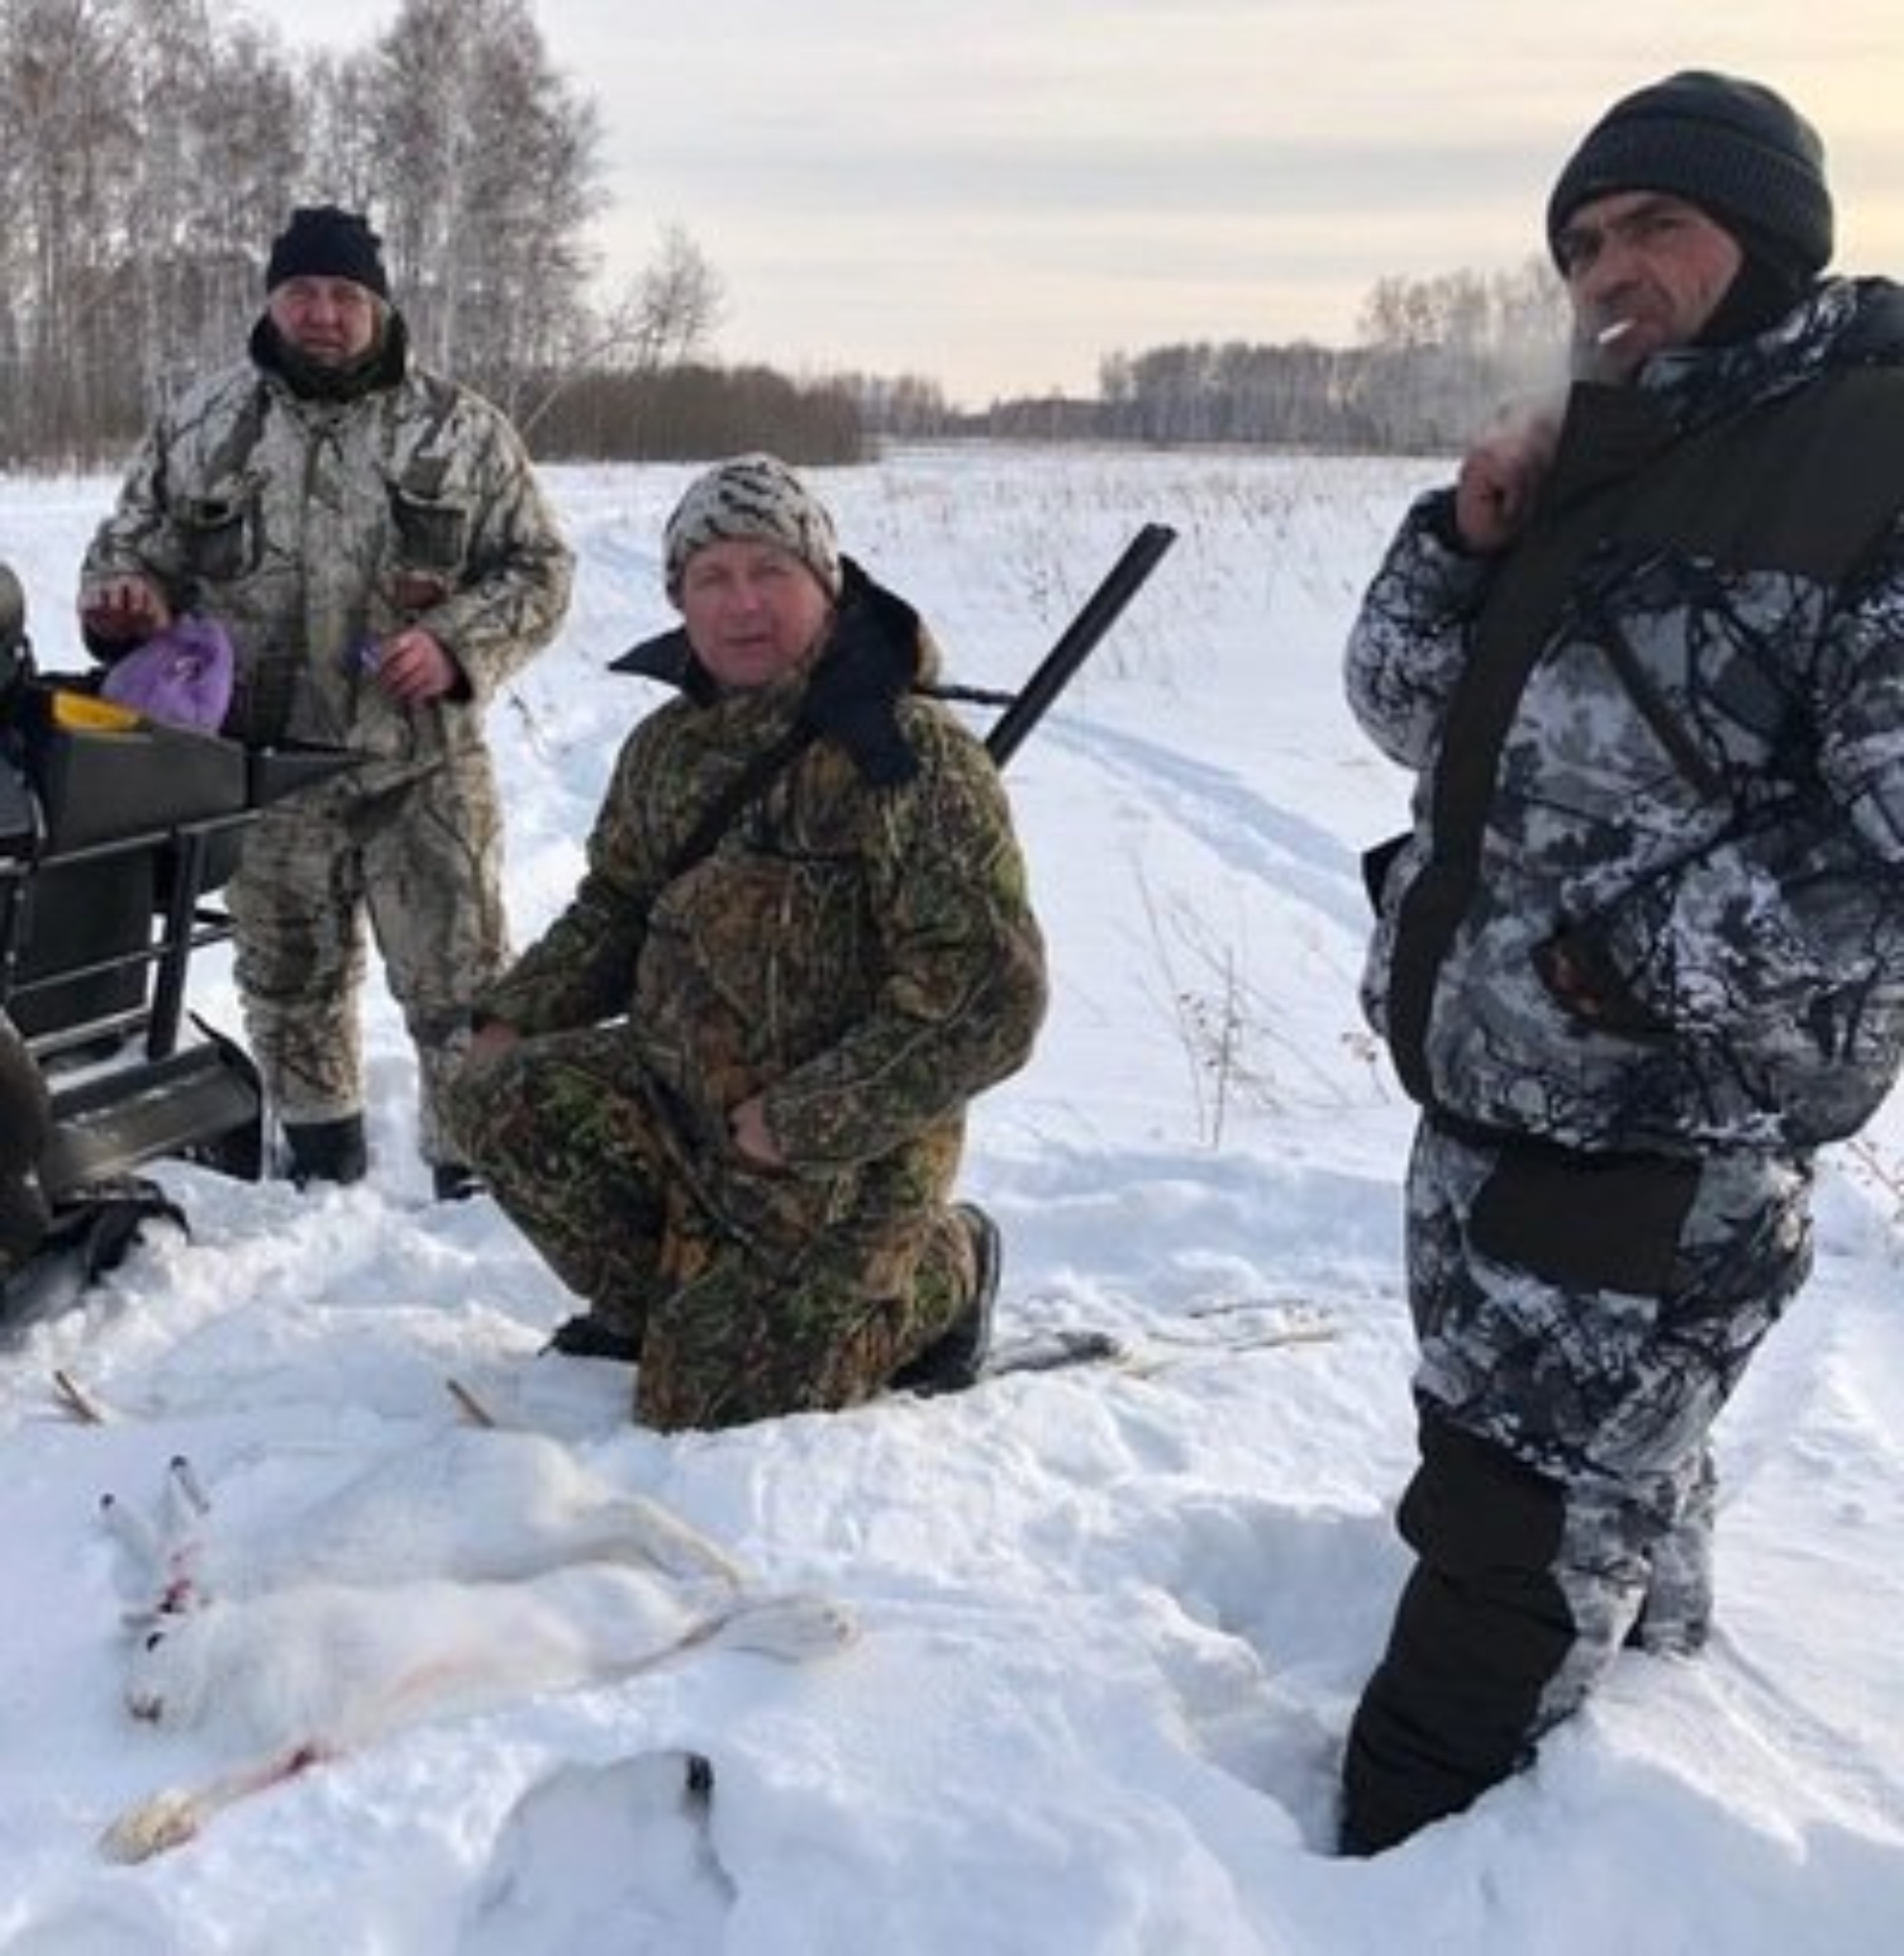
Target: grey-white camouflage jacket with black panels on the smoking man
(1661,748)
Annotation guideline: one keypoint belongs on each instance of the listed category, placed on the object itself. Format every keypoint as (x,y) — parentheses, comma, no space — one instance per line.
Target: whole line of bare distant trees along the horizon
(150,152)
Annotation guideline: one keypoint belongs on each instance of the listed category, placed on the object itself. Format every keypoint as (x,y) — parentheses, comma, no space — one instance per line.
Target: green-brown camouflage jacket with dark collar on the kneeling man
(857,944)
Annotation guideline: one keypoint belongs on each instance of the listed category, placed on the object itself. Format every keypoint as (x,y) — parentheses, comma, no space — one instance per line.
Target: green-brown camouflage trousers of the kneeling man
(750,1294)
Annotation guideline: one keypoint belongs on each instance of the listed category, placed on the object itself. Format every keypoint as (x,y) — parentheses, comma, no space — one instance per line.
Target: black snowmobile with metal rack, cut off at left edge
(116,834)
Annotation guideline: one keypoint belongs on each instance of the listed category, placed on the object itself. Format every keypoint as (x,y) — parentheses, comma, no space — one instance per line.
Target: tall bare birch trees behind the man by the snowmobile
(151,150)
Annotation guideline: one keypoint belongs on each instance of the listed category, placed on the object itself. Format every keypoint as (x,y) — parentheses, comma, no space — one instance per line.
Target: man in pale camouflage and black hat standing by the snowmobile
(374,543)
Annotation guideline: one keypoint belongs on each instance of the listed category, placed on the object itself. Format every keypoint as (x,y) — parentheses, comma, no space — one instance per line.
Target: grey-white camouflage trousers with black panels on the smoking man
(1582,1323)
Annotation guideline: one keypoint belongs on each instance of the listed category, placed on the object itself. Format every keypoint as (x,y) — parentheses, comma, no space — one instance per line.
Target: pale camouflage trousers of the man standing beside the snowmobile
(419,862)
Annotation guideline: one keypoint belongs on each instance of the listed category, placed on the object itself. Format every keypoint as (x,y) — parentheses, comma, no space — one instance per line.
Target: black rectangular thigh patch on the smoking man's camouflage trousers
(1584,1222)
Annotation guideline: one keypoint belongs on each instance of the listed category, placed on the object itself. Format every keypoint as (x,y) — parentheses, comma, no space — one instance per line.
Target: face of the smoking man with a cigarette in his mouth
(1645,273)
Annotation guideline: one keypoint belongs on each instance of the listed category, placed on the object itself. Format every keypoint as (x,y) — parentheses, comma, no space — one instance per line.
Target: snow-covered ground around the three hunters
(1113,1621)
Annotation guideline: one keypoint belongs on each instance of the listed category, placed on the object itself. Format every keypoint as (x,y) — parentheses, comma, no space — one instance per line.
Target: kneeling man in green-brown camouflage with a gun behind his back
(726,1092)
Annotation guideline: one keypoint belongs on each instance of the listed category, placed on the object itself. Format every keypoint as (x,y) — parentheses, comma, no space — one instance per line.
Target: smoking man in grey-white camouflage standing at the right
(1643,950)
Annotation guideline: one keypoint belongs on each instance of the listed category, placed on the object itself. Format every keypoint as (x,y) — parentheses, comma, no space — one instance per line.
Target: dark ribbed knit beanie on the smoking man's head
(1731,148)
